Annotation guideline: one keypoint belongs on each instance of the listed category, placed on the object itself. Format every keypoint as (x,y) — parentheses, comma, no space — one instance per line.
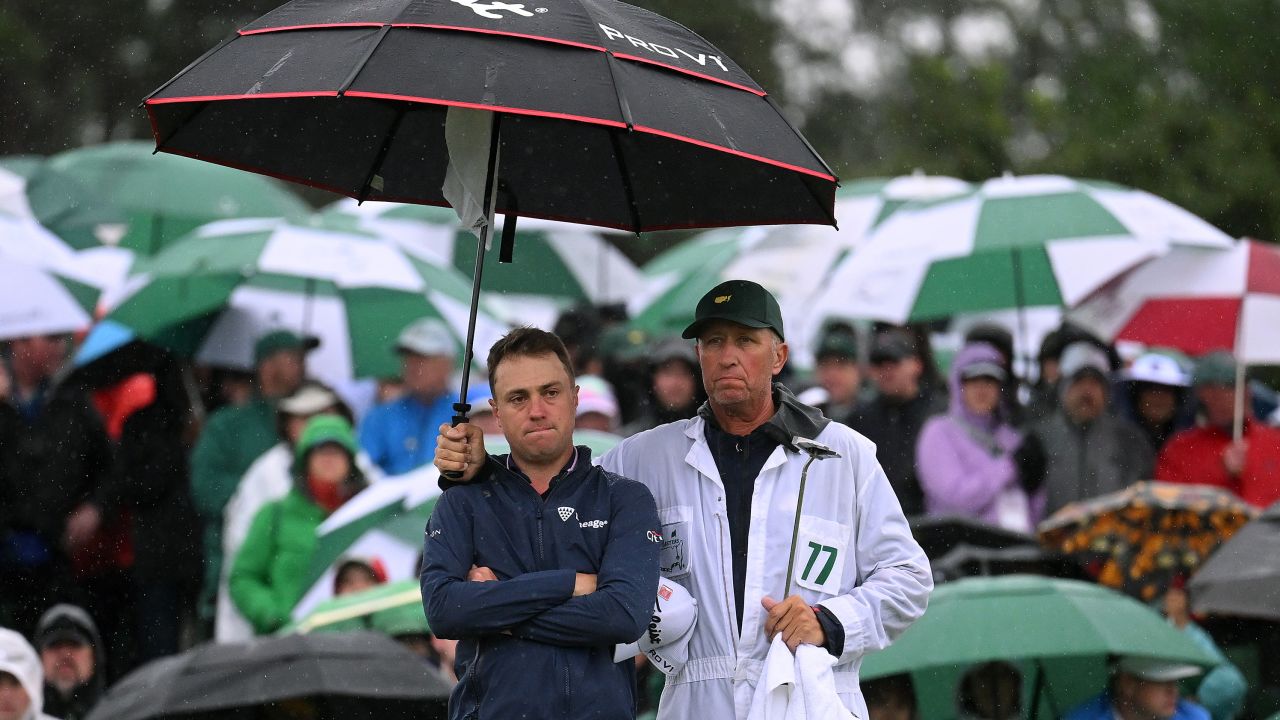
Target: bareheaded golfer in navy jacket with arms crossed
(543,567)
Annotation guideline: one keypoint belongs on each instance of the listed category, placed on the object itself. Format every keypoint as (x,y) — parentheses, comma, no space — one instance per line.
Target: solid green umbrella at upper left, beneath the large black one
(163,198)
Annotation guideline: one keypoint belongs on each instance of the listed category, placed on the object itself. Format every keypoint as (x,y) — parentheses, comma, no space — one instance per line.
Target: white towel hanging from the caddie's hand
(799,687)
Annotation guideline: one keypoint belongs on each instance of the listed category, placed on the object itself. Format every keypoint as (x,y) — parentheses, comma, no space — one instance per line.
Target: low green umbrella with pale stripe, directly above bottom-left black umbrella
(395,609)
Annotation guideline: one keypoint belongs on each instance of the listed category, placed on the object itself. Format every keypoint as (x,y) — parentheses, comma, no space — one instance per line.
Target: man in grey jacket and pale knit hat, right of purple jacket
(1081,449)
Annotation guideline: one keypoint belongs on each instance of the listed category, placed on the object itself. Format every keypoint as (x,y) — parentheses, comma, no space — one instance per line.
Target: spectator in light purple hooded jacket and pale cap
(966,458)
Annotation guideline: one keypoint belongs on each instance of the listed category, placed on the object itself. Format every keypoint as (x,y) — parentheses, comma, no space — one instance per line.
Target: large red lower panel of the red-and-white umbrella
(1192,325)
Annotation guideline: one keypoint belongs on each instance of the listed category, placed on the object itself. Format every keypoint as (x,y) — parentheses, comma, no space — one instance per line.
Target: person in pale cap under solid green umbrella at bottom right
(1144,689)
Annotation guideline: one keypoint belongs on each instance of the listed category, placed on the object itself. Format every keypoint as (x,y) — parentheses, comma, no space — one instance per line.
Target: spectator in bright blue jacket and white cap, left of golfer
(400,436)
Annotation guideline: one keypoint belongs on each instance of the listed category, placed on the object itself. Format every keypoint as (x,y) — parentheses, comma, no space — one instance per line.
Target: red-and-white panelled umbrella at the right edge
(1196,300)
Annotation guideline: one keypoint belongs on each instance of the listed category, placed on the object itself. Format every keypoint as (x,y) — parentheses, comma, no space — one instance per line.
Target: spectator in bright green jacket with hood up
(269,575)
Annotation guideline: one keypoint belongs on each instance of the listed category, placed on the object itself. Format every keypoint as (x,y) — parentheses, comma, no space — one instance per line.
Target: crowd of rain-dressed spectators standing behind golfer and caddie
(136,525)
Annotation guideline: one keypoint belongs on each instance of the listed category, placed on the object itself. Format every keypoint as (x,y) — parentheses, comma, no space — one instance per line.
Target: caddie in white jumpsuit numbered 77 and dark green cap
(726,485)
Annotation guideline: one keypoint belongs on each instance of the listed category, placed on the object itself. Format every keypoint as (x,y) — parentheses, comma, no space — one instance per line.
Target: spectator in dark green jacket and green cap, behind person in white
(235,438)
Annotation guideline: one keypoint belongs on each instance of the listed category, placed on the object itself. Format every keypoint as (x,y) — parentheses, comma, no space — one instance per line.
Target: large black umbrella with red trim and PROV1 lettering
(602,113)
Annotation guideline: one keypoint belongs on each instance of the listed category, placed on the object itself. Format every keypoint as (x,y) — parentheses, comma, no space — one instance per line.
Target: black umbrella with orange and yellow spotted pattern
(1142,539)
